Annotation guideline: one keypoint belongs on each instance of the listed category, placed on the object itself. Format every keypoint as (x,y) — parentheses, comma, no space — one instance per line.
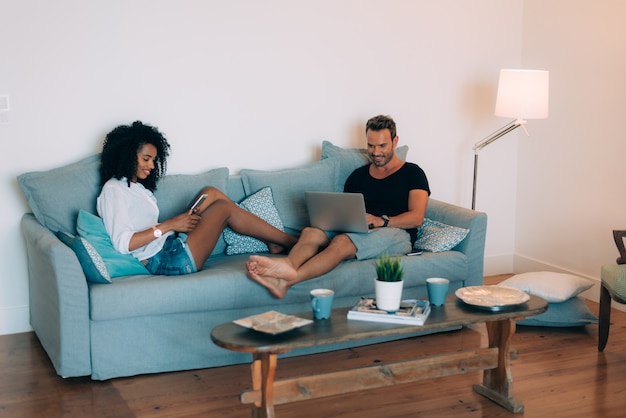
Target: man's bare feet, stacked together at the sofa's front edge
(276,274)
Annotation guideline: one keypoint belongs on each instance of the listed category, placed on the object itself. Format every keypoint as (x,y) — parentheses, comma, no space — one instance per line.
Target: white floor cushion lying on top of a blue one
(553,287)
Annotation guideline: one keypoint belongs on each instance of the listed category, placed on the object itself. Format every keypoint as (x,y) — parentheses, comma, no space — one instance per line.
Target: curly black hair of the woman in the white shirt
(119,153)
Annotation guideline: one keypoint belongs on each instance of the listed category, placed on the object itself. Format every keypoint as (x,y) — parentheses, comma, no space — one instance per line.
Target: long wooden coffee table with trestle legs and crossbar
(494,359)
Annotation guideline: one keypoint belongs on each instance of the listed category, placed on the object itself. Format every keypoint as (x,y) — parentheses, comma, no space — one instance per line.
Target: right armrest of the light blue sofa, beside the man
(473,246)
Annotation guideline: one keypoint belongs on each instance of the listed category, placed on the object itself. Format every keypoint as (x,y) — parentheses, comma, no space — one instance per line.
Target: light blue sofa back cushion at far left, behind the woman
(56,196)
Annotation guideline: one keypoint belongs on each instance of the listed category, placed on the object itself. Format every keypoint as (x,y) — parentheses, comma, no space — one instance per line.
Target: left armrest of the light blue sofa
(58,299)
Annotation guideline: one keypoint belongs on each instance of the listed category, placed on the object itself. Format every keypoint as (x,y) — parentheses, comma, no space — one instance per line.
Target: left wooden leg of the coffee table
(263,370)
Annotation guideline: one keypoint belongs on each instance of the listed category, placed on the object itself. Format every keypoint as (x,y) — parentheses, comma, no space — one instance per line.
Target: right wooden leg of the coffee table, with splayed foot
(498,383)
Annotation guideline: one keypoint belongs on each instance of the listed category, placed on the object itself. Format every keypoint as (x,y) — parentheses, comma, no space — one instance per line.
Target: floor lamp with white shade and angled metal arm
(522,94)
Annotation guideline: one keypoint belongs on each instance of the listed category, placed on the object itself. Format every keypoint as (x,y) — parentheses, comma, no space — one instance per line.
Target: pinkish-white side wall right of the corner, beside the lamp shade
(571,171)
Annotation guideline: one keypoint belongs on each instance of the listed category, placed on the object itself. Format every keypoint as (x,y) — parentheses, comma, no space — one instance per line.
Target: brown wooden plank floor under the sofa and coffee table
(558,373)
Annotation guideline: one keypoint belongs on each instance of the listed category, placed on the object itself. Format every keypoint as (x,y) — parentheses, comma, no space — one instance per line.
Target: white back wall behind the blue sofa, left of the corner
(258,84)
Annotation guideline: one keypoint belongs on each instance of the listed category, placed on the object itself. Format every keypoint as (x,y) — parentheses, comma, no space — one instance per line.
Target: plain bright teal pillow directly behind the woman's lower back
(91,228)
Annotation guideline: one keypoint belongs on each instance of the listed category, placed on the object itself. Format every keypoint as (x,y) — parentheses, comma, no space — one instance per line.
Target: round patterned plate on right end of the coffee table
(492,297)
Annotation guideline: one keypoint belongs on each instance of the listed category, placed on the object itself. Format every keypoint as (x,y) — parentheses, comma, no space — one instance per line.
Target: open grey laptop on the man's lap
(337,211)
